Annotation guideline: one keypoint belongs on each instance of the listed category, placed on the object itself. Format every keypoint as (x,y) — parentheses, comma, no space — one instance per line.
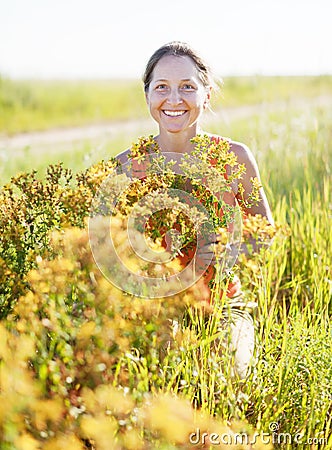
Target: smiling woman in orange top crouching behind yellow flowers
(178,87)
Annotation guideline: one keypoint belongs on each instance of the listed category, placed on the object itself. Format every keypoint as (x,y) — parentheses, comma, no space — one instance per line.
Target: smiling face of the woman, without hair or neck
(176,96)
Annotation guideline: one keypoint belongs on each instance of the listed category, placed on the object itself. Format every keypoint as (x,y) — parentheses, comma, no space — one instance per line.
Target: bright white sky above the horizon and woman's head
(115,38)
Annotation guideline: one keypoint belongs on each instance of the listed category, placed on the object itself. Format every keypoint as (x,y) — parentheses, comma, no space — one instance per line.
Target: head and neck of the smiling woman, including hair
(177,84)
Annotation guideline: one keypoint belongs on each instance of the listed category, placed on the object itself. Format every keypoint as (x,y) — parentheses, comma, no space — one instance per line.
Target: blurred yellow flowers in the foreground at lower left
(84,365)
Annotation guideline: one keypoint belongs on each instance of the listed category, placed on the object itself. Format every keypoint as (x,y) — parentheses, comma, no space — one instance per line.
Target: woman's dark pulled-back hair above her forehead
(177,48)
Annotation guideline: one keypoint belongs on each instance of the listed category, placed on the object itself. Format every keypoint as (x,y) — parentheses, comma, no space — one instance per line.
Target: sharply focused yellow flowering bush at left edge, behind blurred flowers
(30,209)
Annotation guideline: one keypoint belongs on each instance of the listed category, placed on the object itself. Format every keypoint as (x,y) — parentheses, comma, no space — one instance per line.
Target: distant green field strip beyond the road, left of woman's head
(38,105)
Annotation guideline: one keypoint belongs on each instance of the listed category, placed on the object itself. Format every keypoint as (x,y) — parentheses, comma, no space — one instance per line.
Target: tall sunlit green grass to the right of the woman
(293,282)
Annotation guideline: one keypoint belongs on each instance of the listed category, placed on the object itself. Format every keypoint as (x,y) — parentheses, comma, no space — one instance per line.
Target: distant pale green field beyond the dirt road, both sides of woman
(27,105)
